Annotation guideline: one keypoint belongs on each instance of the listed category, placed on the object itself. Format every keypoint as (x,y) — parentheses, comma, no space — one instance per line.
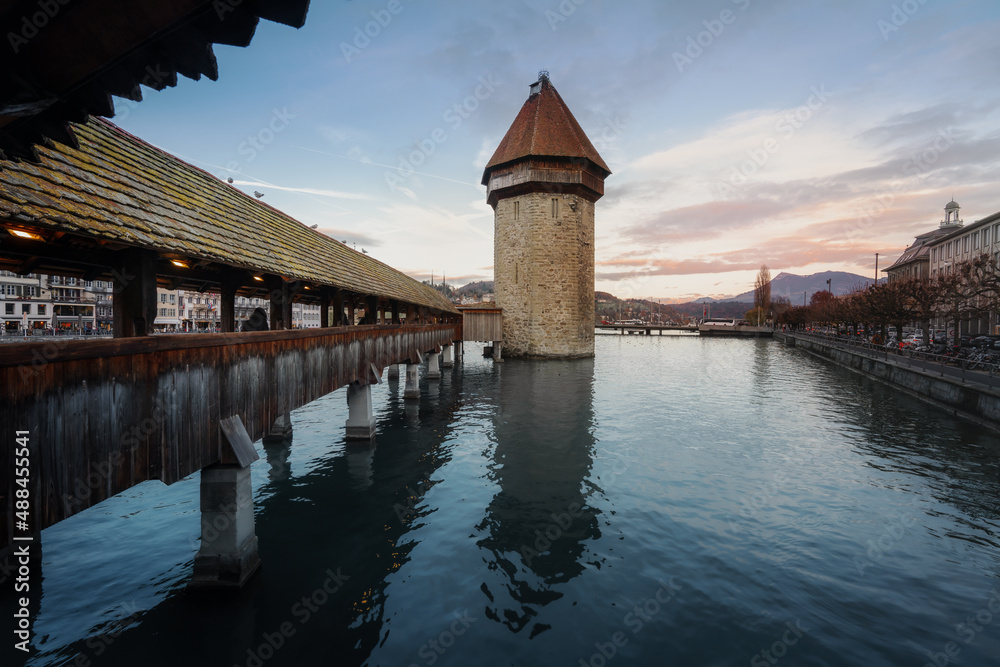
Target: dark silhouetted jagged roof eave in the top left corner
(64,60)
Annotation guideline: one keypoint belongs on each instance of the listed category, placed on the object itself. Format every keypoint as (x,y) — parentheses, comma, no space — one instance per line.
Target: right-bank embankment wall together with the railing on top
(973,394)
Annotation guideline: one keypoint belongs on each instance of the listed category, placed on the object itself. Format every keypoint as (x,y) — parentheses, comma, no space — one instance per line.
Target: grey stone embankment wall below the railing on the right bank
(978,403)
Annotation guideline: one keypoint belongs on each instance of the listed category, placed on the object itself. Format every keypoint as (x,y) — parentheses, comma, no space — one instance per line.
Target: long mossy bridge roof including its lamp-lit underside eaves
(117,191)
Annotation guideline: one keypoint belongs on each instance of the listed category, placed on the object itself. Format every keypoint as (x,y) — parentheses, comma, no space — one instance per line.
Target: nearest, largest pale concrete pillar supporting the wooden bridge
(228,555)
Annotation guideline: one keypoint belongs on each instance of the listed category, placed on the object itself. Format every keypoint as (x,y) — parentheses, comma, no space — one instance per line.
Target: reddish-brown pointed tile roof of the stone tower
(544,127)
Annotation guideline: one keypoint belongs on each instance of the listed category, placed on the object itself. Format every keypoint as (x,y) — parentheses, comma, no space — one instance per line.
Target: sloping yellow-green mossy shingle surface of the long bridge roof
(116,187)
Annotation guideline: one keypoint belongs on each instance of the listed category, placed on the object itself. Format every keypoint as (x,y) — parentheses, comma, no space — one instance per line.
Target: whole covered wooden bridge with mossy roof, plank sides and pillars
(101,416)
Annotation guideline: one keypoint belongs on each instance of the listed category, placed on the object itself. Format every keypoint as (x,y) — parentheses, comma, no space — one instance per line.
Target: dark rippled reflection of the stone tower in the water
(536,527)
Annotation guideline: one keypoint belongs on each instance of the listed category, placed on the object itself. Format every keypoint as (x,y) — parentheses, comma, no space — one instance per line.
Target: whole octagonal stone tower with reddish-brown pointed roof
(542,183)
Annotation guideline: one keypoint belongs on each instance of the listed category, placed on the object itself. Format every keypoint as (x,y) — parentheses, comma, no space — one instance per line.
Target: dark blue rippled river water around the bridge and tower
(674,501)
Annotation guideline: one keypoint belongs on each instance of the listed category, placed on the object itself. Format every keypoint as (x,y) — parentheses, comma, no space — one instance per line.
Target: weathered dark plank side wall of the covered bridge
(106,415)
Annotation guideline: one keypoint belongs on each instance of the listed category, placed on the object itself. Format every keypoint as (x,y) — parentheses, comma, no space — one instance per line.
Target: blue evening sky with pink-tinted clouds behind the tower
(807,135)
